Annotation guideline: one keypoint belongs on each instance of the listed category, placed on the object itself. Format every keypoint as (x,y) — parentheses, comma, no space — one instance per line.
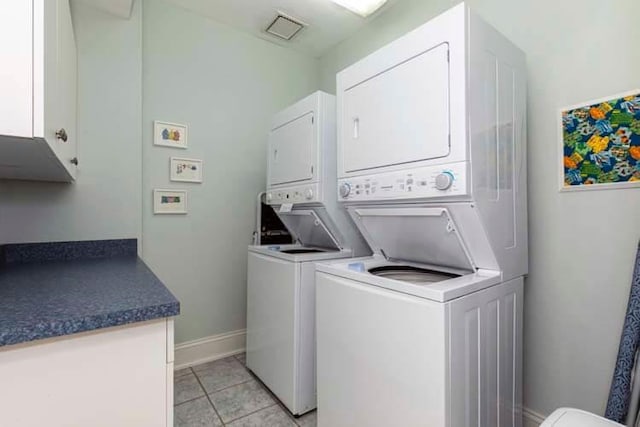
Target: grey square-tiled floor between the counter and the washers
(225,393)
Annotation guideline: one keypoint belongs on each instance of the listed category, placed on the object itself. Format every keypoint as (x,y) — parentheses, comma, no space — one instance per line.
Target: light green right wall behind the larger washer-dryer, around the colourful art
(582,245)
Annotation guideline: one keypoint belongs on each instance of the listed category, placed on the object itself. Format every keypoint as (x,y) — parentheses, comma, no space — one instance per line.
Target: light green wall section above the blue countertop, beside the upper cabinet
(105,201)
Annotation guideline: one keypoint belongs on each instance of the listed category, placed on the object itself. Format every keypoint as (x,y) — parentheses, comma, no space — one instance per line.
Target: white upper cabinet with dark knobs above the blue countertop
(38,138)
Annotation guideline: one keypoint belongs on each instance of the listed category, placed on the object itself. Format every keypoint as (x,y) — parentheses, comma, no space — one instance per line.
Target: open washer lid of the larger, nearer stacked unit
(416,234)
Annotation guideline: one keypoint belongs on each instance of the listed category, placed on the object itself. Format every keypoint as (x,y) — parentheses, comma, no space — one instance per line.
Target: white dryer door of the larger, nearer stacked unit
(398,116)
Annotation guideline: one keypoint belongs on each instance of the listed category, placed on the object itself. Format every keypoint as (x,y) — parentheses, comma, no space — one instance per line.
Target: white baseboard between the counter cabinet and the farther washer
(209,348)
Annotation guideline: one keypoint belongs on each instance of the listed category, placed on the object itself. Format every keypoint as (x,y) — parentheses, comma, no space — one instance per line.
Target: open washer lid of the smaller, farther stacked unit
(307,227)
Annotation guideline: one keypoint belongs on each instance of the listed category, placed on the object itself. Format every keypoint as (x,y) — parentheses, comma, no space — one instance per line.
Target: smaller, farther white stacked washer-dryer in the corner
(301,185)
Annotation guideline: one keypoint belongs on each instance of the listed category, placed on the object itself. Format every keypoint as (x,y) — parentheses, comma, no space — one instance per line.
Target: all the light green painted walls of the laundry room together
(226,84)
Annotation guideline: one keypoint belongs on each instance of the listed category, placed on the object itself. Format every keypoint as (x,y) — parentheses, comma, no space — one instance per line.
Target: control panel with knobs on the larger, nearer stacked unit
(432,181)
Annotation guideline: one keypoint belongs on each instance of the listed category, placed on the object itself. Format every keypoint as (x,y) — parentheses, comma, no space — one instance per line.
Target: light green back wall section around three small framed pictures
(226,85)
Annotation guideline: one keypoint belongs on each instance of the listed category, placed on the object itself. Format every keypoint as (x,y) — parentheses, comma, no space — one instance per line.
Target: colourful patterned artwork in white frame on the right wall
(601,143)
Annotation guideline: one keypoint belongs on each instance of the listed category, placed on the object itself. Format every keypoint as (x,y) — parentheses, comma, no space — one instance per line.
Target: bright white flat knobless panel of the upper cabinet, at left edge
(16,73)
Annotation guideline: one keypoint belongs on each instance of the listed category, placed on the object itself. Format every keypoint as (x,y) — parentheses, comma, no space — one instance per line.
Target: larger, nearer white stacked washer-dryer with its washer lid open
(432,168)
